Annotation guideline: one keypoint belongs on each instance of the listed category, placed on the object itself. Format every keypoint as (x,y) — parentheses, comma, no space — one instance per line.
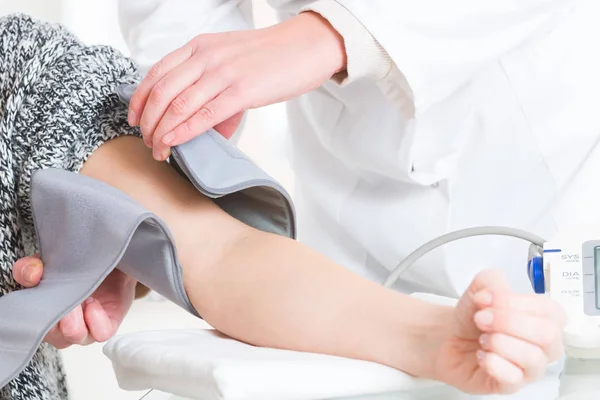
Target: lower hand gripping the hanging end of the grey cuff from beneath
(97,319)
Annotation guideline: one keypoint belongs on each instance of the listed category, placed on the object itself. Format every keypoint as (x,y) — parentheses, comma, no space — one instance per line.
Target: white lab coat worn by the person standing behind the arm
(490,109)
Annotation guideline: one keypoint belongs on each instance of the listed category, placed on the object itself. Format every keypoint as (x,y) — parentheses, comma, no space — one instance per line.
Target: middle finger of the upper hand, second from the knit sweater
(165,95)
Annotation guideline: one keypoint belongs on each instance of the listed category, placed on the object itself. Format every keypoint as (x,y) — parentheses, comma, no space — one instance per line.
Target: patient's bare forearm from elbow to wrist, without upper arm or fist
(273,292)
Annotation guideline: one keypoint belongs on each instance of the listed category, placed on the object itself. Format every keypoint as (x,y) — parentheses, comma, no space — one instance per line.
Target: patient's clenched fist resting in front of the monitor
(500,340)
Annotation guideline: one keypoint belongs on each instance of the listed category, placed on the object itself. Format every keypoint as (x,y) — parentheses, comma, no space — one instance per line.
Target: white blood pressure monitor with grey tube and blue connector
(567,268)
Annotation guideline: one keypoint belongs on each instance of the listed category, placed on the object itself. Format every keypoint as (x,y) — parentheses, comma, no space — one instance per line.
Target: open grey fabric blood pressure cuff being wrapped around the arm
(86,229)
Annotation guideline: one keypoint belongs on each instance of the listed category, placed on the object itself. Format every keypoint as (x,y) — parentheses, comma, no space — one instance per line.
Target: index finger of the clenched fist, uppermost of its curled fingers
(541,331)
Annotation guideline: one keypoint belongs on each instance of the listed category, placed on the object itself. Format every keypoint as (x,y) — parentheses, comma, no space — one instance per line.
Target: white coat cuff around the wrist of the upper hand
(366,58)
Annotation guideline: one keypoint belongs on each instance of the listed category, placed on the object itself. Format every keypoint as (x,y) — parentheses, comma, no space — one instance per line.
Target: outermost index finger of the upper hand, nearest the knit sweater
(154,75)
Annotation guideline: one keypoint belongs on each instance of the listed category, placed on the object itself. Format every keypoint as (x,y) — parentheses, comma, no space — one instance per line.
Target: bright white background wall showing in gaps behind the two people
(90,373)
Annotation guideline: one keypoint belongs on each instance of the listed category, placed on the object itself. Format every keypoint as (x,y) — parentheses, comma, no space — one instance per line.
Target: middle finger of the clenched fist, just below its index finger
(528,357)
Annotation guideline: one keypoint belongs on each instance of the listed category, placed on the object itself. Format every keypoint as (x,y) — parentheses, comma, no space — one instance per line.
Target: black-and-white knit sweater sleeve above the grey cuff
(58,102)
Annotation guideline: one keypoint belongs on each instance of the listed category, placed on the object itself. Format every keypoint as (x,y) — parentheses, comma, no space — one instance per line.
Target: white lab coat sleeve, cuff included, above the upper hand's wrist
(422,51)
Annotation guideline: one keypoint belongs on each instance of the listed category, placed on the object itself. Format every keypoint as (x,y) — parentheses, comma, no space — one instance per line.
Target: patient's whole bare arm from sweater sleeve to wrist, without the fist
(268,290)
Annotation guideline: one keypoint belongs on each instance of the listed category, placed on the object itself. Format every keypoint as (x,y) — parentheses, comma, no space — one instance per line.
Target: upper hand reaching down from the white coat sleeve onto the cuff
(214,78)
